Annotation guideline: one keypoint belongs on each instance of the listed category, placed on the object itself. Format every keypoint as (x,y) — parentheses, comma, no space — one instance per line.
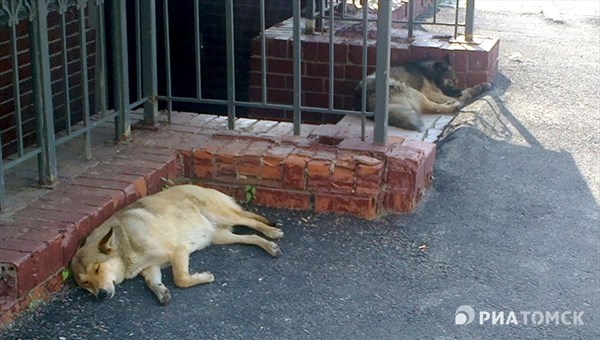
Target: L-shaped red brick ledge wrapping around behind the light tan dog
(327,169)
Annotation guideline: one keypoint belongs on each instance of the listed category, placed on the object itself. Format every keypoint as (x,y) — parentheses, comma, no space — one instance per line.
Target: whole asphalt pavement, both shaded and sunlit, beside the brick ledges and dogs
(510,224)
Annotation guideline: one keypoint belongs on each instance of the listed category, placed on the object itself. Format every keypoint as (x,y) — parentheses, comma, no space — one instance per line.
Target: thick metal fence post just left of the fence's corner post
(120,69)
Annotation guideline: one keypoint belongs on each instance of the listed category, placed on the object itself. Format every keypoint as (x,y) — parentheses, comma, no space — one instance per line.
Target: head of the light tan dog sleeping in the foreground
(96,267)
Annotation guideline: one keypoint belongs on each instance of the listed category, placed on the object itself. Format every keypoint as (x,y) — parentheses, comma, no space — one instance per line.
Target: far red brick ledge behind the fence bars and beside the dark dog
(474,64)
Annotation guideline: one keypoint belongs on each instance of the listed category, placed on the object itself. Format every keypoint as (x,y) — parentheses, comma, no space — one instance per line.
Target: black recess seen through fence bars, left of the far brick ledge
(214,53)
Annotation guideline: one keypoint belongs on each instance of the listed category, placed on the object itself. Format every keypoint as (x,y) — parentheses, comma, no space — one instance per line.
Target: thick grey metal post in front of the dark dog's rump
(384,25)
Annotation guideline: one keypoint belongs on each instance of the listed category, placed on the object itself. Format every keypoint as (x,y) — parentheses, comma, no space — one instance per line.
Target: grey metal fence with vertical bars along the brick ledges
(114,101)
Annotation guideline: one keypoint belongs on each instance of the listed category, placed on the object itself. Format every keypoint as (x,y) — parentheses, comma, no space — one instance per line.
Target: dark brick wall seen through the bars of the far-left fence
(7,100)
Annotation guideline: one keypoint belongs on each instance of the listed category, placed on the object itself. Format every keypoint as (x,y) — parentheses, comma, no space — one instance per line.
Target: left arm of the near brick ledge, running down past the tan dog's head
(38,241)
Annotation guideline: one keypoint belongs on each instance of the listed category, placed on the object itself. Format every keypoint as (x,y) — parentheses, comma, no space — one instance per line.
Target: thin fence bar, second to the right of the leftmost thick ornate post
(85,101)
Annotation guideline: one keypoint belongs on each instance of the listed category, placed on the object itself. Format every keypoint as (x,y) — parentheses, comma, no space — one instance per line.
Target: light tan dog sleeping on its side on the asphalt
(162,230)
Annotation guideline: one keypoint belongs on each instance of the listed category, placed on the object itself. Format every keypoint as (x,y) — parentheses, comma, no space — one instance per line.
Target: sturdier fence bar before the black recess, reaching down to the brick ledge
(229,37)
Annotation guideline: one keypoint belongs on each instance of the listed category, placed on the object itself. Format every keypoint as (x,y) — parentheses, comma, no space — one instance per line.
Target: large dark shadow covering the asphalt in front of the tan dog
(504,227)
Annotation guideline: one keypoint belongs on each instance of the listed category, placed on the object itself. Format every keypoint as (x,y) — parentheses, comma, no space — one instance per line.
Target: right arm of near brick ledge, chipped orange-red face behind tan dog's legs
(322,172)
